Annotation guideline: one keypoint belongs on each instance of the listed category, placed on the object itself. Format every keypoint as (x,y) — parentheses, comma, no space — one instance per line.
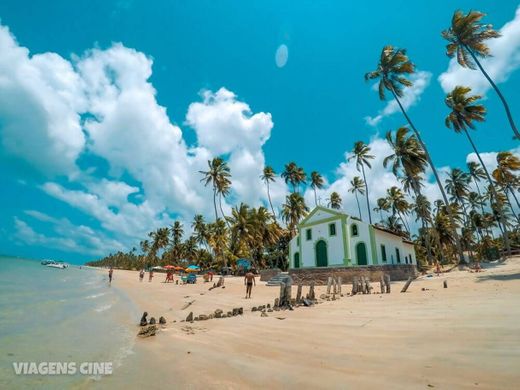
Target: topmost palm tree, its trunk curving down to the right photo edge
(467,37)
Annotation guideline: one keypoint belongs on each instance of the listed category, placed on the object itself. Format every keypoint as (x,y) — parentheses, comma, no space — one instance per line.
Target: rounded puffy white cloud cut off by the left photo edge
(40,102)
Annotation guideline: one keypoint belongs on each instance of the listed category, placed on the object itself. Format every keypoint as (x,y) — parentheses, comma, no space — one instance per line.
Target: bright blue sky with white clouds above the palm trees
(109,108)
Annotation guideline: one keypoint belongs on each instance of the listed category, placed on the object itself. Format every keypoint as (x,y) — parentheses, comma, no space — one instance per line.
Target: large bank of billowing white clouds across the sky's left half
(44,97)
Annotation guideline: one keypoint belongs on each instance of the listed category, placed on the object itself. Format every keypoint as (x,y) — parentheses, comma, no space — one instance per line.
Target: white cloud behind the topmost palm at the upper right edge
(505,60)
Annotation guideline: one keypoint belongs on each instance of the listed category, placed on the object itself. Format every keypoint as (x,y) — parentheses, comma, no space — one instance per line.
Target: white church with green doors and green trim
(330,238)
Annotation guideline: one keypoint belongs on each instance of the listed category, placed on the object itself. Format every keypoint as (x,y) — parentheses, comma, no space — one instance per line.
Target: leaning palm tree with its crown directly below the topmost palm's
(465,110)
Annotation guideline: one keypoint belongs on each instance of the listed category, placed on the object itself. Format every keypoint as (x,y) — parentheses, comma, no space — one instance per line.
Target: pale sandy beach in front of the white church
(463,336)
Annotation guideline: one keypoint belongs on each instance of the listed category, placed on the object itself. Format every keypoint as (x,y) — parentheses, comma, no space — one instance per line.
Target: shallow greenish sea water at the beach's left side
(55,315)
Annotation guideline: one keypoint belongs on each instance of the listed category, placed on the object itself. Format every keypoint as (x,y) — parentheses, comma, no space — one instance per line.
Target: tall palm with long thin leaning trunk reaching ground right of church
(392,70)
